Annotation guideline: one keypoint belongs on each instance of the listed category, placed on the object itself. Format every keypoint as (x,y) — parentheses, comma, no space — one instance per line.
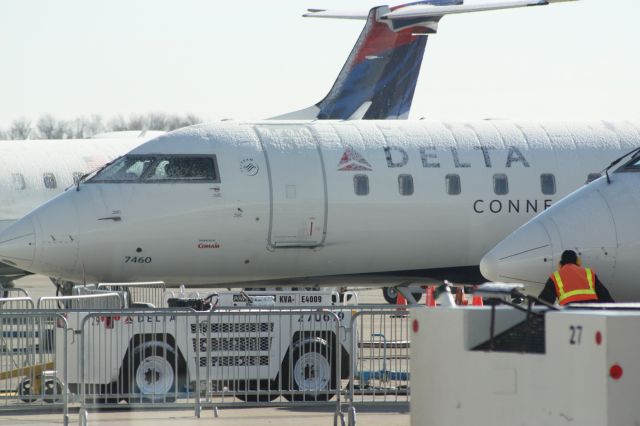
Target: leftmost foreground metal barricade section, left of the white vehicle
(32,377)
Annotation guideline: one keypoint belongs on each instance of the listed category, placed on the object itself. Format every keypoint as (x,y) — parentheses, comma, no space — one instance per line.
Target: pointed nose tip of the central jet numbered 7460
(18,244)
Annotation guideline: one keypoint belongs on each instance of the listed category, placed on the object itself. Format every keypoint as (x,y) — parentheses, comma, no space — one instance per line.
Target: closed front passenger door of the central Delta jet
(297,184)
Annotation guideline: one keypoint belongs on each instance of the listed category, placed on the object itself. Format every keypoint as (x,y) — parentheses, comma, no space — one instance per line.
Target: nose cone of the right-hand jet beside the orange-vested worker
(525,256)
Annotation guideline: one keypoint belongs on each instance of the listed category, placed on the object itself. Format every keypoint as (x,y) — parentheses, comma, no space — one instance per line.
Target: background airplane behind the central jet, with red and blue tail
(377,81)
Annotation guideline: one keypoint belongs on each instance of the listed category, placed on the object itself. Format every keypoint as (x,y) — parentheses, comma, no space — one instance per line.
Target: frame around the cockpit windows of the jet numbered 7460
(154,160)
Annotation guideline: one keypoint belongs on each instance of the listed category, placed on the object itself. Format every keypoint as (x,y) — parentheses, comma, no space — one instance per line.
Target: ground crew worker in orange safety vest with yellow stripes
(572,283)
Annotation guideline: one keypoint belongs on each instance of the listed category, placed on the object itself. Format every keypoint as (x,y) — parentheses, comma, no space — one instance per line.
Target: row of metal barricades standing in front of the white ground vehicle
(227,357)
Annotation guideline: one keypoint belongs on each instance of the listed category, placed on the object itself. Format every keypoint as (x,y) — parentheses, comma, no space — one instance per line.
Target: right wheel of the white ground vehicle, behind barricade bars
(312,371)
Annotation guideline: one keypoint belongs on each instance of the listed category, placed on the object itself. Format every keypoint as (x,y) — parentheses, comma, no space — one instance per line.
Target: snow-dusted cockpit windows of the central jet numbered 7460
(160,169)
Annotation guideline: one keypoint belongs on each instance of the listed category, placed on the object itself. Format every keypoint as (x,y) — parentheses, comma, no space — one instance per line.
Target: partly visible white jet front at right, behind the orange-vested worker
(598,221)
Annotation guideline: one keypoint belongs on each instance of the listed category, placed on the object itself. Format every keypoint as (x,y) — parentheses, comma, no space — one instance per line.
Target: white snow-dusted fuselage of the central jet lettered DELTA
(283,204)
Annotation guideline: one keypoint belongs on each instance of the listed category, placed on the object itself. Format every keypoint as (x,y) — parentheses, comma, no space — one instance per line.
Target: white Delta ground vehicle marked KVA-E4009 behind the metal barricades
(254,351)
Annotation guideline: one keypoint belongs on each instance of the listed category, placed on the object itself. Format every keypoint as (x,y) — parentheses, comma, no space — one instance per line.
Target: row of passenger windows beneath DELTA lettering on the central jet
(453,184)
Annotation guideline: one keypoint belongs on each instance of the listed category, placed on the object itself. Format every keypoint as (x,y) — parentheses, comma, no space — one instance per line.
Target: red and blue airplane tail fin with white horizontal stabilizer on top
(379,78)
